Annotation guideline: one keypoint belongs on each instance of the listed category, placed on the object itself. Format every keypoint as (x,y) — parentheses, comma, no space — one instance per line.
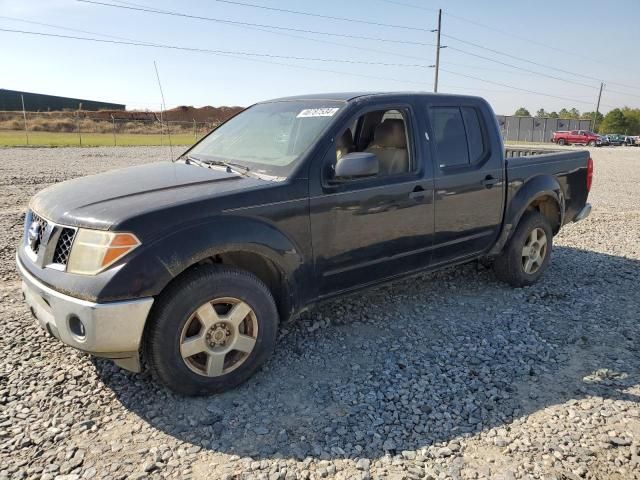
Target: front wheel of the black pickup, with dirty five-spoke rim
(196,324)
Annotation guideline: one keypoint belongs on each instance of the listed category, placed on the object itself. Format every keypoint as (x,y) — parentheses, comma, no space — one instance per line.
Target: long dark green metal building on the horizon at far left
(11,100)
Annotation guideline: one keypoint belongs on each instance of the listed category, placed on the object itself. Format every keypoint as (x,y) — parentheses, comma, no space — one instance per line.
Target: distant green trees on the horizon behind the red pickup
(619,120)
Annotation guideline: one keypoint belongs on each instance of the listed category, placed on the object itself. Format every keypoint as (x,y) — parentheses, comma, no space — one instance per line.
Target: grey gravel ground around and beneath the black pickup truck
(446,375)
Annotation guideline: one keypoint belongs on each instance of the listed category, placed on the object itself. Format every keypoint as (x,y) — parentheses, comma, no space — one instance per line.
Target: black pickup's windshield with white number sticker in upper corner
(268,138)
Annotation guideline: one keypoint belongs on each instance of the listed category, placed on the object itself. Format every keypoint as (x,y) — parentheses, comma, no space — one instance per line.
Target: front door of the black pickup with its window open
(365,230)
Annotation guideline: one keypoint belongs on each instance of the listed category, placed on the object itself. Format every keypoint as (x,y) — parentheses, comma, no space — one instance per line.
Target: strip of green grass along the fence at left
(50,139)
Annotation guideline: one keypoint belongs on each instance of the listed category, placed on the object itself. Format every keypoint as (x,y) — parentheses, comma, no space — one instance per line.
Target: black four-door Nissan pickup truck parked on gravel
(191,265)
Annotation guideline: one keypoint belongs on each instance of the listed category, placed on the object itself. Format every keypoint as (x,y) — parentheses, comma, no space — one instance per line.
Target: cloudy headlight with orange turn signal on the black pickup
(94,250)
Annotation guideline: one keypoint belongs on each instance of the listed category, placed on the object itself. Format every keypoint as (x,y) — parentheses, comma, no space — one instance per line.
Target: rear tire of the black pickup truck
(511,265)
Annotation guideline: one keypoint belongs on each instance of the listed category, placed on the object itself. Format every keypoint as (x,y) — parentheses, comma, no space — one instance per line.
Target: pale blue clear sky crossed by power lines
(579,47)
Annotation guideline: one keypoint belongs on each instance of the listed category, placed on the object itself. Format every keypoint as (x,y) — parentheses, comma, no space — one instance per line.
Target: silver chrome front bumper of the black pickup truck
(111,330)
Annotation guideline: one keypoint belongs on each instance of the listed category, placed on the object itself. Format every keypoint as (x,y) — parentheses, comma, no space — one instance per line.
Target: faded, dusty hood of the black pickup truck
(100,201)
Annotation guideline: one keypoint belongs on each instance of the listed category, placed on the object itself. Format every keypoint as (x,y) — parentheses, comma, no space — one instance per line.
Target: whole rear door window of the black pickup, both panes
(459,135)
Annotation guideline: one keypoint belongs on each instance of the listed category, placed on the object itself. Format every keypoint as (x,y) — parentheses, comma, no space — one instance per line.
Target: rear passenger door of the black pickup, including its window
(469,179)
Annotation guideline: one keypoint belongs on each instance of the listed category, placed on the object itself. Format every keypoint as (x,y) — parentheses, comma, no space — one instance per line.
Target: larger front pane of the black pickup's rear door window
(450,137)
